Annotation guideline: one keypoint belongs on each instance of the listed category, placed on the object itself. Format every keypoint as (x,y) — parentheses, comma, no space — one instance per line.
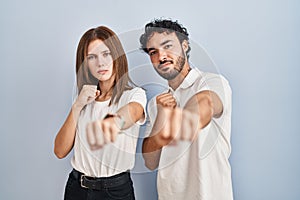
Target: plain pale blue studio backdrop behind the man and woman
(255,44)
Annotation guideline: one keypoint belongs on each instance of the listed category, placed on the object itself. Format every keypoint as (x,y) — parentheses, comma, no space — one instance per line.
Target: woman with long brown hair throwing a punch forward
(103,124)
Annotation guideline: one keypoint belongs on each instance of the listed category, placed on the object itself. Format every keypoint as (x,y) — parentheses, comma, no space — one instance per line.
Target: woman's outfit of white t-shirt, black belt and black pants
(112,160)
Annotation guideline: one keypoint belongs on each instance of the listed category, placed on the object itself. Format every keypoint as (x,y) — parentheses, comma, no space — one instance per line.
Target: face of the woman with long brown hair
(100,61)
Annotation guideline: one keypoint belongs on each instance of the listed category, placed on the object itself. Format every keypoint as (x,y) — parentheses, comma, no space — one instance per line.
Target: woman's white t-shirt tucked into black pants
(113,158)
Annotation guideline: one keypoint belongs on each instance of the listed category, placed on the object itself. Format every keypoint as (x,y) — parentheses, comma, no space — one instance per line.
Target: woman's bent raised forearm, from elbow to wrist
(64,140)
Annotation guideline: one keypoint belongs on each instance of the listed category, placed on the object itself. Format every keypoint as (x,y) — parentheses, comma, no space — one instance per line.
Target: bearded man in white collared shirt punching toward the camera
(189,130)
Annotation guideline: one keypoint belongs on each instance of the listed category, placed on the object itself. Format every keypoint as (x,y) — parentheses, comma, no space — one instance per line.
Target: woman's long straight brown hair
(122,81)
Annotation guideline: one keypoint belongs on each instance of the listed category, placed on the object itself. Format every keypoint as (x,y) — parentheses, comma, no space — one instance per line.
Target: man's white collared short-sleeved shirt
(198,170)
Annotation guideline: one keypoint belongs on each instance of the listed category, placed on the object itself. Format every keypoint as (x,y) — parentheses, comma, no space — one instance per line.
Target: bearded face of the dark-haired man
(166,54)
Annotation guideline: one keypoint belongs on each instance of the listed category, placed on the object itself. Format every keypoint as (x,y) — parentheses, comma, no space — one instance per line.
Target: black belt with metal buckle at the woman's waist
(103,182)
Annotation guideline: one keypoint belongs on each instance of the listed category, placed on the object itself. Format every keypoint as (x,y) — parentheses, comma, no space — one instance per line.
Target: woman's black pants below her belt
(74,191)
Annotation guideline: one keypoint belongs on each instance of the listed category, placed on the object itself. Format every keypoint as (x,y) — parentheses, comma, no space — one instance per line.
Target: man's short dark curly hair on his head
(161,26)
